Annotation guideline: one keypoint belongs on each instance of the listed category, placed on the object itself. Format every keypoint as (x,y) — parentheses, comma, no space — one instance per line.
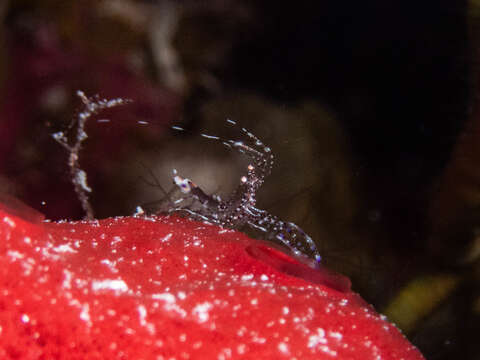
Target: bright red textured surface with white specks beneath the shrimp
(170,288)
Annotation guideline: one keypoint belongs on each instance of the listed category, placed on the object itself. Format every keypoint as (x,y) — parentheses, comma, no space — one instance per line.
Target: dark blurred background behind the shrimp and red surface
(370,107)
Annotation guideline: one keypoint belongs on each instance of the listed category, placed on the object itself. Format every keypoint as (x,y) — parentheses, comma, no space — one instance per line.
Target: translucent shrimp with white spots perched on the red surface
(240,207)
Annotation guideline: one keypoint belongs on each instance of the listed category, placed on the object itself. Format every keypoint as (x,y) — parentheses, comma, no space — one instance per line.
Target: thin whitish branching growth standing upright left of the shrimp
(79,177)
